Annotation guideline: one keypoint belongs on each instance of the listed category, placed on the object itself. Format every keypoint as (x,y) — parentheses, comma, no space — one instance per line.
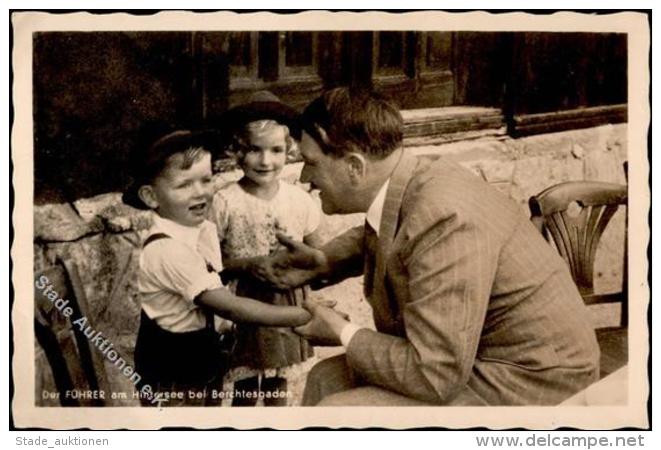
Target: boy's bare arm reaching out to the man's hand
(246,310)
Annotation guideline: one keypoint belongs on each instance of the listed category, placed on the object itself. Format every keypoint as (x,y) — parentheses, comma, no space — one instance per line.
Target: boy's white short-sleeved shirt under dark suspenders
(174,271)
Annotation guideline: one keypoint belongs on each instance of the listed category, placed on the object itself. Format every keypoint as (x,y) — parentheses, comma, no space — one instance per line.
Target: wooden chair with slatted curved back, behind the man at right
(574,216)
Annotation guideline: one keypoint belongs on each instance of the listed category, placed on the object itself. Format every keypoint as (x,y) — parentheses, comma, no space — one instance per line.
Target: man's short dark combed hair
(347,119)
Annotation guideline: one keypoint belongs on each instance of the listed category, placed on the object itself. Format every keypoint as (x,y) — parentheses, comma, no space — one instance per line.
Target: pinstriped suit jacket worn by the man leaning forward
(471,305)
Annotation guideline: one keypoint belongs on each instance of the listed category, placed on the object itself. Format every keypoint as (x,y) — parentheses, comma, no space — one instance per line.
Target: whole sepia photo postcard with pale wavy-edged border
(181,180)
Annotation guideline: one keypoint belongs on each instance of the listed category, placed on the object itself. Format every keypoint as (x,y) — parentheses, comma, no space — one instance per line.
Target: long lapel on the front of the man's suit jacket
(389,220)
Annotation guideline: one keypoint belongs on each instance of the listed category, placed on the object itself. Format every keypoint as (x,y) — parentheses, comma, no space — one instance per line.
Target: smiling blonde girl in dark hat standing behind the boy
(248,215)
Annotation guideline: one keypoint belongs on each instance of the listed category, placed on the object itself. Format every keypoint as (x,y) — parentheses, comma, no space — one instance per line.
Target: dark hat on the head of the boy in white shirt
(151,163)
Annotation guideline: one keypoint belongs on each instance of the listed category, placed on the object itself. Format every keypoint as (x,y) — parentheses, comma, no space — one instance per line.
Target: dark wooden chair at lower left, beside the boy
(73,363)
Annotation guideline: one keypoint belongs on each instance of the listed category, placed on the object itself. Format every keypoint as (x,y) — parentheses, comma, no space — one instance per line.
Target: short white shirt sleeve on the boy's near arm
(176,268)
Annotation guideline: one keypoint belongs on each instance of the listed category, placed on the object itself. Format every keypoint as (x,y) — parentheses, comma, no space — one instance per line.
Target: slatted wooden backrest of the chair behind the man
(575,215)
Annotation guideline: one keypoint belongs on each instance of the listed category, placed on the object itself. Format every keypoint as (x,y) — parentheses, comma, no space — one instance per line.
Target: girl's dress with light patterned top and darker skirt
(247,227)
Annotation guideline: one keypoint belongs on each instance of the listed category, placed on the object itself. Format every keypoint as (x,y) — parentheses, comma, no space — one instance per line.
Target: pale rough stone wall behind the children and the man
(101,235)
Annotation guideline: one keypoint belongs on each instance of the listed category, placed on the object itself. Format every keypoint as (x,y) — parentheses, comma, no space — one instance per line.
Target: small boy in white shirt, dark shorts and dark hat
(177,350)
